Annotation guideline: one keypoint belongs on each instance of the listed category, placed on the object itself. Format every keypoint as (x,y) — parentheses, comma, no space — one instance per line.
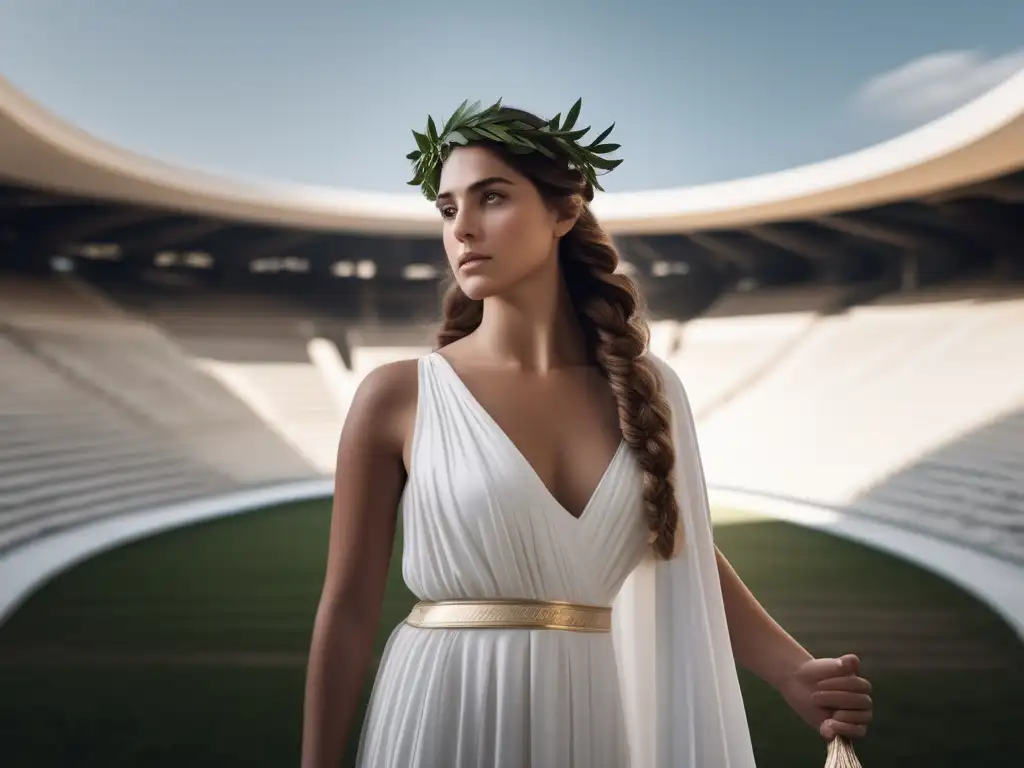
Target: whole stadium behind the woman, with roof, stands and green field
(179,352)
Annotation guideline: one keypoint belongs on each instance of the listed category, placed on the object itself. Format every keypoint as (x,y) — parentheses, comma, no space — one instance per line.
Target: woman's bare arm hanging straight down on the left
(369,483)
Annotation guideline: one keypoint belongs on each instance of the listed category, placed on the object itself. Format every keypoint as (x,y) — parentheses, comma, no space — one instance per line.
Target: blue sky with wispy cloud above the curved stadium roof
(326,94)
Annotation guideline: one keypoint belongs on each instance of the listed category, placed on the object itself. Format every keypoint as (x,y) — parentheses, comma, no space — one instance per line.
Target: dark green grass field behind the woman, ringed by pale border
(189,650)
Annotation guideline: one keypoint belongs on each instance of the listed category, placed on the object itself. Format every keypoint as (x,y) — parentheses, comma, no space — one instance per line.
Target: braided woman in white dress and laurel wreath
(575,610)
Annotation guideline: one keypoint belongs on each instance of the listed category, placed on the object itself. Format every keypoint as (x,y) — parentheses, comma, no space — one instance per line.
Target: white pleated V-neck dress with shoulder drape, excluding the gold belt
(660,691)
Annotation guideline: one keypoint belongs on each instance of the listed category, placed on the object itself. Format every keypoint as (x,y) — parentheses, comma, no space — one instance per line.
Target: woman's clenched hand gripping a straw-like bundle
(831,697)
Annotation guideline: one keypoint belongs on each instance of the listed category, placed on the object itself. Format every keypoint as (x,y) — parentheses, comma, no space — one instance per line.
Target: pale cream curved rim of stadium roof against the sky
(979,142)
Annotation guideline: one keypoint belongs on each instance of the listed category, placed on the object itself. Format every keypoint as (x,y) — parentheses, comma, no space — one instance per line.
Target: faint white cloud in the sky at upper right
(931,87)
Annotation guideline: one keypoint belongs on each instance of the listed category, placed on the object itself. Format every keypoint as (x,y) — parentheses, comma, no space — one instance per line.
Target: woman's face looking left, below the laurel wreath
(498,229)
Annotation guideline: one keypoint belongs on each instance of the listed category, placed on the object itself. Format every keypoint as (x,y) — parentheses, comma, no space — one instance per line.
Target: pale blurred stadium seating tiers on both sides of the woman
(909,409)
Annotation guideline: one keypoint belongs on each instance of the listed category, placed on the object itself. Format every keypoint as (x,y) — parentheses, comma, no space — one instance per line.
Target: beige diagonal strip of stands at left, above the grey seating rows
(131,363)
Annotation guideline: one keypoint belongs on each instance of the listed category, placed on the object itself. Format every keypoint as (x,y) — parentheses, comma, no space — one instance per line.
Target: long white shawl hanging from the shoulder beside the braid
(680,689)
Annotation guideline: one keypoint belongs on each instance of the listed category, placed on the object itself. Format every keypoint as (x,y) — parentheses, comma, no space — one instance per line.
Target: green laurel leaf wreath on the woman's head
(471,123)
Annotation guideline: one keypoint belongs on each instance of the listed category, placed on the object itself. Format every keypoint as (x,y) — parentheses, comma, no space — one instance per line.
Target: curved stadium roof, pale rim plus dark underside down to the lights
(950,195)
